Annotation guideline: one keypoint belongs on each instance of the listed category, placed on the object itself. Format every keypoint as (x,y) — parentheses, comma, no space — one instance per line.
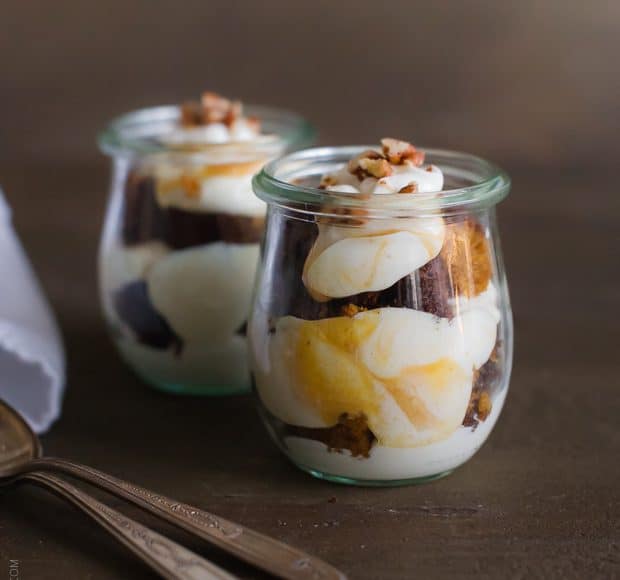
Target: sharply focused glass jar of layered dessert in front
(402,383)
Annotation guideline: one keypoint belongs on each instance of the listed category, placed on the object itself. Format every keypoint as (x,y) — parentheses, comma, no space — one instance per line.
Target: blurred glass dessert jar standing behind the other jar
(180,244)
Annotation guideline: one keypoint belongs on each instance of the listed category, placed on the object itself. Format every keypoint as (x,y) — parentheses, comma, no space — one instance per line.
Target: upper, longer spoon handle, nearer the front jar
(257,549)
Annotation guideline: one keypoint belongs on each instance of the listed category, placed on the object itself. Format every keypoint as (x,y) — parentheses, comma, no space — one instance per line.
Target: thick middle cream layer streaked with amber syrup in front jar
(409,372)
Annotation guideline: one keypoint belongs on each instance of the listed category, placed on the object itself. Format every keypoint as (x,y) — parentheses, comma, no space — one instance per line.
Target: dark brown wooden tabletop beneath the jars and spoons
(540,499)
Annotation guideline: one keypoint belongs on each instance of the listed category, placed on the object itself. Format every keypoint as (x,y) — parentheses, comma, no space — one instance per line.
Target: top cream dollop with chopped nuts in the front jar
(348,259)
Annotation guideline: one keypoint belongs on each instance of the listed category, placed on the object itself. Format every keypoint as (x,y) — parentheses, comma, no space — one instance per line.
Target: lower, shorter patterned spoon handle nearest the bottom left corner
(166,557)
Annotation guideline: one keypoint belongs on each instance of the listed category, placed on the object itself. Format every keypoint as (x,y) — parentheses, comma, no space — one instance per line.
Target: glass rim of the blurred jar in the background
(135,134)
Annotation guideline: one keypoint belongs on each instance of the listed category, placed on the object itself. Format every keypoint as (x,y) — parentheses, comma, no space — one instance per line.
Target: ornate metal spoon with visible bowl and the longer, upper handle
(262,551)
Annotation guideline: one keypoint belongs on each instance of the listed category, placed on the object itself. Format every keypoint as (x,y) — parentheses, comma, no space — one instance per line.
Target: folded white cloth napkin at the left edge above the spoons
(32,362)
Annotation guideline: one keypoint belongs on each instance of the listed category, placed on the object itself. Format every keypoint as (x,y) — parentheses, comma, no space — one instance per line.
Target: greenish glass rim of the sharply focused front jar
(487,184)
